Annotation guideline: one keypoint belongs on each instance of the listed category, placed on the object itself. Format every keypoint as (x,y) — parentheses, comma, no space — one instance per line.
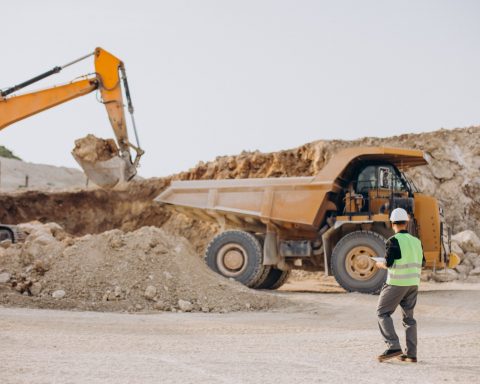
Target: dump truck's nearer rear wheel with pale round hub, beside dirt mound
(238,255)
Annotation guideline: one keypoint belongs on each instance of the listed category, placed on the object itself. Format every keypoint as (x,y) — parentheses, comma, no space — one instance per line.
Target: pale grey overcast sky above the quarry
(212,78)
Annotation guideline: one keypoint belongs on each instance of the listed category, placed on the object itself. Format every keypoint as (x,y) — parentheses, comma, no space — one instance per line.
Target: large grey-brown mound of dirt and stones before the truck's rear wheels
(144,270)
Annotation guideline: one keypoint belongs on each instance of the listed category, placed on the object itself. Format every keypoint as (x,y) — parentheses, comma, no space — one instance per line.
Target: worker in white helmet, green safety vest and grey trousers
(404,260)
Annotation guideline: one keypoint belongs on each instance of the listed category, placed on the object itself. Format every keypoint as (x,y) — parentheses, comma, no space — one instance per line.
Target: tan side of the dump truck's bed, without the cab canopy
(250,203)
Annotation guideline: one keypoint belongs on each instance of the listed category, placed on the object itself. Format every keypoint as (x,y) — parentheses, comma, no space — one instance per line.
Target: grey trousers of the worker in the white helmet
(390,297)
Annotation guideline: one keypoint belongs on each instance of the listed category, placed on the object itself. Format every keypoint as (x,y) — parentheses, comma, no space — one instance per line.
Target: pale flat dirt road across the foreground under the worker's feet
(322,338)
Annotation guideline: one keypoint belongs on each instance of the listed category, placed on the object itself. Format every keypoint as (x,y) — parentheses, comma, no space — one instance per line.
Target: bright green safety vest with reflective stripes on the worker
(406,270)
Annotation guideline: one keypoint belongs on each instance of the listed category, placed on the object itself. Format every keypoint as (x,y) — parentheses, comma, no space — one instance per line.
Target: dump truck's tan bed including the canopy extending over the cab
(288,203)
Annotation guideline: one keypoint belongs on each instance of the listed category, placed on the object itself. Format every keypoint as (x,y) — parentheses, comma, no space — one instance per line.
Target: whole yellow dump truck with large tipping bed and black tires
(335,221)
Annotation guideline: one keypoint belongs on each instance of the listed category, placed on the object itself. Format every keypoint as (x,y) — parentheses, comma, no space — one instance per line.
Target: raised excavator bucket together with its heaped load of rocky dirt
(102,162)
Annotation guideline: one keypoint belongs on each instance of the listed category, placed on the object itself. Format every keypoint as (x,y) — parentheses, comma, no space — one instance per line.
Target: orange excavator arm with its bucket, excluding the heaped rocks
(107,79)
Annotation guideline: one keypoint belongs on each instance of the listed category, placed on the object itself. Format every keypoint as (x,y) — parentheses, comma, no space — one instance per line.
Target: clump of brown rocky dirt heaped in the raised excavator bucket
(93,149)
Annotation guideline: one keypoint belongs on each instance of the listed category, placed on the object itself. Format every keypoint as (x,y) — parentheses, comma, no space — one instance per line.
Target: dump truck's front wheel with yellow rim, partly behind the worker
(351,264)
